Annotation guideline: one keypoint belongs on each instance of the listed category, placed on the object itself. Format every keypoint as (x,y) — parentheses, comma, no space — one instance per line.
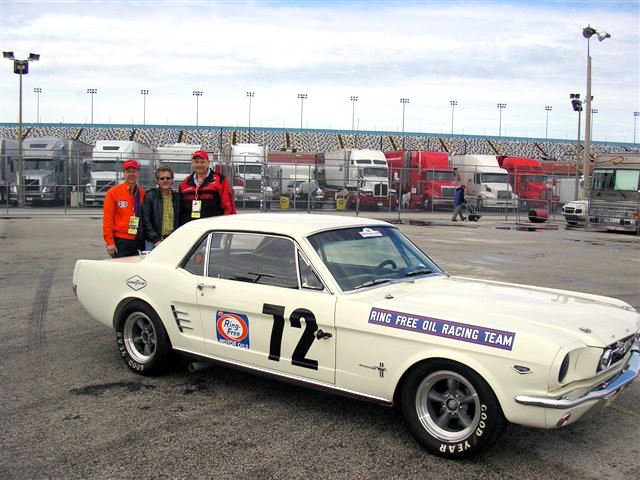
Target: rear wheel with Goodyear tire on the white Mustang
(142,340)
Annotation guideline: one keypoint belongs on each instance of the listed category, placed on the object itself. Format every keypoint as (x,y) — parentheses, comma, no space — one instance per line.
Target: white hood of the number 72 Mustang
(568,316)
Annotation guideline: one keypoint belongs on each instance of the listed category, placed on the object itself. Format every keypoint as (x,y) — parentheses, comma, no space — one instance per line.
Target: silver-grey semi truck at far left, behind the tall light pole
(52,167)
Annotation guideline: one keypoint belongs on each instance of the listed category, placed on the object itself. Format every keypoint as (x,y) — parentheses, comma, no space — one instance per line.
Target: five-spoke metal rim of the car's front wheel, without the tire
(447,406)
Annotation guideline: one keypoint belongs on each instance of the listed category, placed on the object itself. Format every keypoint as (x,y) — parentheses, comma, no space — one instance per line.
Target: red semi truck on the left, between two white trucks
(423,178)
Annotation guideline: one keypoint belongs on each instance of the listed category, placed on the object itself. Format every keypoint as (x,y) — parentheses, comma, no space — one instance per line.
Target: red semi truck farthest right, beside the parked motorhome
(529,181)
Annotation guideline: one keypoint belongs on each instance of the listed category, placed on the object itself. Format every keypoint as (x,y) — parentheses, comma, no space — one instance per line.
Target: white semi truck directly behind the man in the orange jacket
(106,167)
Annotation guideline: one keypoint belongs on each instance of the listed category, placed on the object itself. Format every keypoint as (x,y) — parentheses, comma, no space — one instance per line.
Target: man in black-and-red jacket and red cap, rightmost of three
(205,193)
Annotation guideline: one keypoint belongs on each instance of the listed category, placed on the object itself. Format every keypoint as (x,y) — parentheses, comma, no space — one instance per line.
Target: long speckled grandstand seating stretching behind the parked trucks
(215,138)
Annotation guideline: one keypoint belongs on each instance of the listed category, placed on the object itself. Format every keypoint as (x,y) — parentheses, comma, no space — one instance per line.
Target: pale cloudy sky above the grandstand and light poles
(525,54)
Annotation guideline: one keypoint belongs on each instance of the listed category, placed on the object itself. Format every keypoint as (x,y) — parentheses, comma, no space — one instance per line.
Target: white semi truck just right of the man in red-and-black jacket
(244,165)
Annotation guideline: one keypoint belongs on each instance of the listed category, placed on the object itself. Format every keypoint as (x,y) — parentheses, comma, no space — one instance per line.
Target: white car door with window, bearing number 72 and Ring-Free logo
(257,311)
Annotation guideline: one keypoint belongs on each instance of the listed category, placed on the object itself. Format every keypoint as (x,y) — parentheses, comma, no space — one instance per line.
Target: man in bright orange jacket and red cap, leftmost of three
(121,225)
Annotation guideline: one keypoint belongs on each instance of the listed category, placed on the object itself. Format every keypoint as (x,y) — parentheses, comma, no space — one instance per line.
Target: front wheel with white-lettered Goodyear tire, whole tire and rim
(450,410)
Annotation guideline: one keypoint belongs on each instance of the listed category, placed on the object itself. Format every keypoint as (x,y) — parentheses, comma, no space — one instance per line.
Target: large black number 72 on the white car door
(306,340)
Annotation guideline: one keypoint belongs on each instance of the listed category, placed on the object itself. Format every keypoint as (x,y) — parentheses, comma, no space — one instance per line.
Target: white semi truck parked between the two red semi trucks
(486,183)
